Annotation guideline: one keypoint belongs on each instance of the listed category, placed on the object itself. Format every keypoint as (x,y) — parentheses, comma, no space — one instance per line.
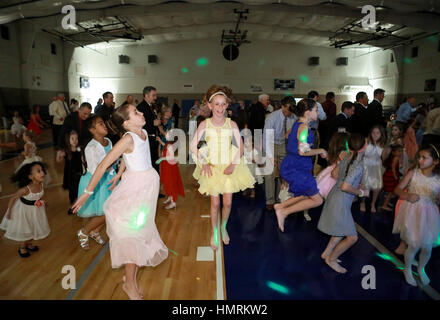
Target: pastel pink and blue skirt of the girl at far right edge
(418,223)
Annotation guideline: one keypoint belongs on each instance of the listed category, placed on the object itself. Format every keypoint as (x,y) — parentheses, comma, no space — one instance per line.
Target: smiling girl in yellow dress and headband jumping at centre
(220,169)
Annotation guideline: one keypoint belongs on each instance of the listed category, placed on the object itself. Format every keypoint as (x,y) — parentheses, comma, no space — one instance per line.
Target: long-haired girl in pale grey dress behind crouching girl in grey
(372,178)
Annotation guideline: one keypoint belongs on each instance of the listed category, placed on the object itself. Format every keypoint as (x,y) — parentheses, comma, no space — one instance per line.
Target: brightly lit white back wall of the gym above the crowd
(259,63)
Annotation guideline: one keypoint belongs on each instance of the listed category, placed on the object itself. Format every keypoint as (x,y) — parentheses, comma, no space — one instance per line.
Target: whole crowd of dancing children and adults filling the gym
(115,159)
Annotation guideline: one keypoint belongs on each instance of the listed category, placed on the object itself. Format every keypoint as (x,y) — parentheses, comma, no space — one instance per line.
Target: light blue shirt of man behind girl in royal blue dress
(275,121)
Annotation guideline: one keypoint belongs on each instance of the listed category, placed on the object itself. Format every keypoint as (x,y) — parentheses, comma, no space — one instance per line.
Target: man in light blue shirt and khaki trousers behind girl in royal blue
(280,121)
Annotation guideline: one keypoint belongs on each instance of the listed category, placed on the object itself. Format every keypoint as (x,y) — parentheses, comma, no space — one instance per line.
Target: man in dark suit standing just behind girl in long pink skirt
(151,122)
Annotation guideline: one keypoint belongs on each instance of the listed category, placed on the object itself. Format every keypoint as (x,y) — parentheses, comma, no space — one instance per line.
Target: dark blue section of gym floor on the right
(261,262)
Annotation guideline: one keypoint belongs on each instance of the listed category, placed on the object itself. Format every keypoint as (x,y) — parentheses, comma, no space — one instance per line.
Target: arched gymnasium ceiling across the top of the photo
(311,22)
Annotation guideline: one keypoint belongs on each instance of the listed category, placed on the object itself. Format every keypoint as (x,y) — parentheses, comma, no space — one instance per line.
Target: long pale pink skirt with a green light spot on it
(130,213)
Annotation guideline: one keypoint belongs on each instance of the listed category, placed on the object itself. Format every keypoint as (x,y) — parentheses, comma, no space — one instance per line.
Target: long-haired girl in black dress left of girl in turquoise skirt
(73,166)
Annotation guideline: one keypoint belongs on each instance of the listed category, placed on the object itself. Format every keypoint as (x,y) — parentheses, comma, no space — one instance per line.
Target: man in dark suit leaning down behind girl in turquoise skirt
(76,121)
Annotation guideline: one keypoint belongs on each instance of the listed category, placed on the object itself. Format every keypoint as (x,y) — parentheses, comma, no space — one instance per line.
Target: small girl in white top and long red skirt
(170,173)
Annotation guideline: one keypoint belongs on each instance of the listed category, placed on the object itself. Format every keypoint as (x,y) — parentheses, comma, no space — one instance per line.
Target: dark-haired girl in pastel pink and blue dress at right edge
(418,219)
